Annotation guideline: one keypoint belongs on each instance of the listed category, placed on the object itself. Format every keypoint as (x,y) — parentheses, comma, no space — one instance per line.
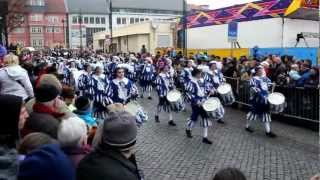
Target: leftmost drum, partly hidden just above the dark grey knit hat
(136,110)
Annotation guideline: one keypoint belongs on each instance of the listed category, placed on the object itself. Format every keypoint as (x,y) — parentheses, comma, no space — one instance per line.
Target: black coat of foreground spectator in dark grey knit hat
(107,165)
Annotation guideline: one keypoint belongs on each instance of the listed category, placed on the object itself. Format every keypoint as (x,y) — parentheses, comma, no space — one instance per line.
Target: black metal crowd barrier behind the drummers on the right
(302,103)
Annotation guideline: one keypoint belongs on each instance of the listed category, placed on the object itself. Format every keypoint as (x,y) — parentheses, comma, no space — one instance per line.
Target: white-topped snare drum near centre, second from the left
(176,102)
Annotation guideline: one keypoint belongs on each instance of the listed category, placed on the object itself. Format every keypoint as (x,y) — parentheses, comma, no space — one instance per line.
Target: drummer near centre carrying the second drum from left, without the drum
(164,83)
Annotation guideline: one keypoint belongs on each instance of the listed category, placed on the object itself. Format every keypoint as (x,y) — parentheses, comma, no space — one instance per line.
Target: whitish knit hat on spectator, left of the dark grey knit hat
(71,131)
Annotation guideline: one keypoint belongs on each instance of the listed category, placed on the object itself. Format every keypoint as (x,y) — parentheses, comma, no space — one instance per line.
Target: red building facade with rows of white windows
(43,26)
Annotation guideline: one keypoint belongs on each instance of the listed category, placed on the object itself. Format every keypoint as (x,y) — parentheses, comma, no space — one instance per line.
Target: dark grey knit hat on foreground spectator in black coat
(119,130)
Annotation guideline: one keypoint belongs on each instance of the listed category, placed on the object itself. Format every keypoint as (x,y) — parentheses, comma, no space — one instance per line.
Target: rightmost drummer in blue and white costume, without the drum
(258,99)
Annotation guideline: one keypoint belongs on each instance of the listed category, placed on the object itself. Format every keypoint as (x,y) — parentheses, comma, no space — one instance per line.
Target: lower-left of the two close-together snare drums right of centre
(213,108)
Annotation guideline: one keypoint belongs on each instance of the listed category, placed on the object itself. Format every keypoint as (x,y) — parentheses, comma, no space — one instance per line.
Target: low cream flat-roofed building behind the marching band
(131,38)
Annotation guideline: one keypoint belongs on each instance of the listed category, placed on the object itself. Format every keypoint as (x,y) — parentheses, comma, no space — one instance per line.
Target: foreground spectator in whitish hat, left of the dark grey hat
(72,135)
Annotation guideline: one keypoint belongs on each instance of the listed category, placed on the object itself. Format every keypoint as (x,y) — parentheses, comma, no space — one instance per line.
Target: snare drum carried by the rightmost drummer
(277,102)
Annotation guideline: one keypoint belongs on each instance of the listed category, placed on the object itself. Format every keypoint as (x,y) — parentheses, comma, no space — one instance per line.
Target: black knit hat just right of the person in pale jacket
(46,93)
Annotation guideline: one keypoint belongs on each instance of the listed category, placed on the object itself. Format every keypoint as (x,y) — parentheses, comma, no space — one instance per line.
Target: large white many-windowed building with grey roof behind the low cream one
(95,16)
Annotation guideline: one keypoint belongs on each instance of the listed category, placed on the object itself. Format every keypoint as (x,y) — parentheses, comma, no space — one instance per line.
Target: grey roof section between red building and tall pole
(87,6)
